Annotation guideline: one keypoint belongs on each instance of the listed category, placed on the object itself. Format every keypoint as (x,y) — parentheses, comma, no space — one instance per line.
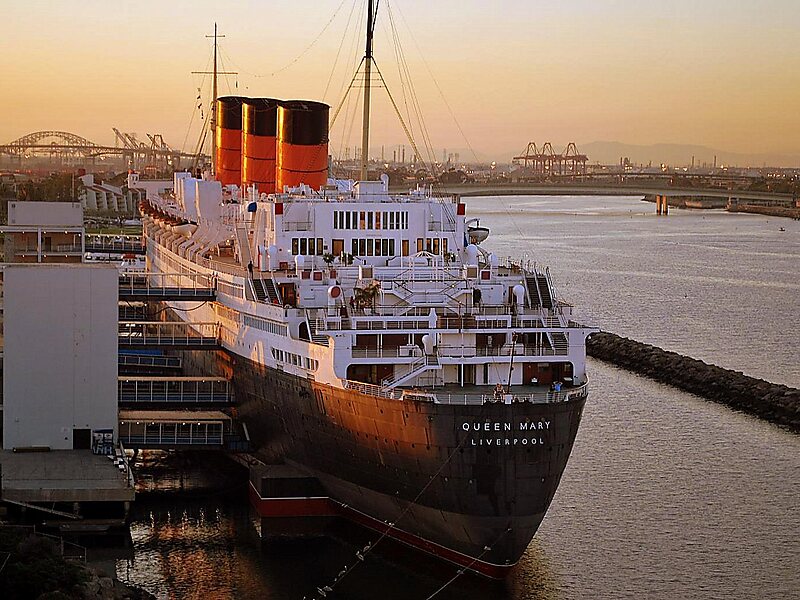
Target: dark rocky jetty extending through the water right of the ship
(775,403)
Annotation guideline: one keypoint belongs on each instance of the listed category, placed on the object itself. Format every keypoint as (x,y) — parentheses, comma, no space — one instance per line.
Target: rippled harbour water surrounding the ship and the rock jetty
(666,495)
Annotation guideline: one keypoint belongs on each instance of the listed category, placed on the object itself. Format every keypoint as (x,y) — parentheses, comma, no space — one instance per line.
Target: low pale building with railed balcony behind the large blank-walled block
(44,232)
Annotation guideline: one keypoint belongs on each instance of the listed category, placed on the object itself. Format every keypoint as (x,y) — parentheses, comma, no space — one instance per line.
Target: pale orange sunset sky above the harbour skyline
(719,73)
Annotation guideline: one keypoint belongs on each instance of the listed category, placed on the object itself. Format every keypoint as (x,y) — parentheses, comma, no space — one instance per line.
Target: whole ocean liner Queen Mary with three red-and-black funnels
(432,389)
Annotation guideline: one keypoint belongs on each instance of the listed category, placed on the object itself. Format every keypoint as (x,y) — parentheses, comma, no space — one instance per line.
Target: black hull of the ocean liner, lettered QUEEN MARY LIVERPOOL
(467,483)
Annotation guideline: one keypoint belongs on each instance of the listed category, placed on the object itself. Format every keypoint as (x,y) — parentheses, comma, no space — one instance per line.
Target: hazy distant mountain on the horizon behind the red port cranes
(681,155)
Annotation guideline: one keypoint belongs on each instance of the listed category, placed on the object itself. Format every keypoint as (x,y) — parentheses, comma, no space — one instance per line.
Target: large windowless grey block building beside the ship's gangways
(60,355)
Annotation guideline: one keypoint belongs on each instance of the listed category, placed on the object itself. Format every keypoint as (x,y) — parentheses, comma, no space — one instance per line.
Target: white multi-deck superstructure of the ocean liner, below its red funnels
(356,287)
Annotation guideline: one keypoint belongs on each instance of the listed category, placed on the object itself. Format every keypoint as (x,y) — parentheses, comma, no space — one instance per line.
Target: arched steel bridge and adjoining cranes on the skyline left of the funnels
(69,147)
